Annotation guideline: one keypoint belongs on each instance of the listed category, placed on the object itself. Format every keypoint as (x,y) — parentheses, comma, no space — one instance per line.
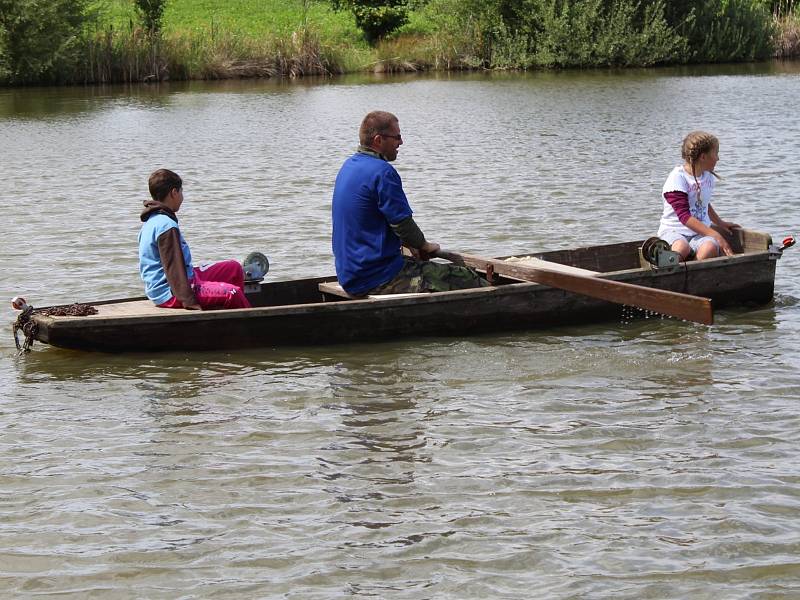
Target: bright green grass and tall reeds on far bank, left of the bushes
(217,39)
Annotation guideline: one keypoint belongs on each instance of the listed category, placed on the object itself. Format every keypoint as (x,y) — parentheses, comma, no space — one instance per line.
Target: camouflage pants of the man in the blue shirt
(424,276)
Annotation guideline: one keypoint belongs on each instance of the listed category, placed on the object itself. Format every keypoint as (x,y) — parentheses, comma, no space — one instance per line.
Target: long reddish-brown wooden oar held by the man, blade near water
(673,304)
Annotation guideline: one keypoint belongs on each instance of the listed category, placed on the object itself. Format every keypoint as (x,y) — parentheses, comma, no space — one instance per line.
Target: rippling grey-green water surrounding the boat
(650,459)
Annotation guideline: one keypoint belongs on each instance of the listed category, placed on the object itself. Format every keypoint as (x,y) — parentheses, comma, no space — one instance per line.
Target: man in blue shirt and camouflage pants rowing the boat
(372,220)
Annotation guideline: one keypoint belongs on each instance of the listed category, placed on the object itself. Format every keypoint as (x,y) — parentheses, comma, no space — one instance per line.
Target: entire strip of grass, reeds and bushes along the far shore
(106,41)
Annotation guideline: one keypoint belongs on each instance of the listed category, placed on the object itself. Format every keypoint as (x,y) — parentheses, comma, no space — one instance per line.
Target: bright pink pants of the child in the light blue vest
(218,285)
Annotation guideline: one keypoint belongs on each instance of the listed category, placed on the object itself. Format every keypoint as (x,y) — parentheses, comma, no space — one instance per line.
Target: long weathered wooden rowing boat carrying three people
(316,311)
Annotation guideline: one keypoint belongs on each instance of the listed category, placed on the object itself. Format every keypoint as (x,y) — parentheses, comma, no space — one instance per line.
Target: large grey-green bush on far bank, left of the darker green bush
(558,33)
